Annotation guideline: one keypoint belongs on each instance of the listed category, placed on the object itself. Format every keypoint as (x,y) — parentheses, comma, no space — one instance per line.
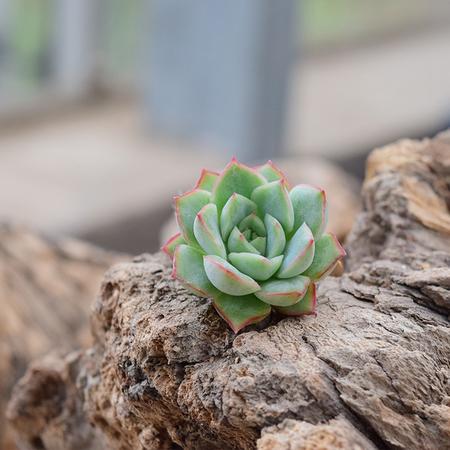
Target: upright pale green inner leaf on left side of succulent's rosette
(207,233)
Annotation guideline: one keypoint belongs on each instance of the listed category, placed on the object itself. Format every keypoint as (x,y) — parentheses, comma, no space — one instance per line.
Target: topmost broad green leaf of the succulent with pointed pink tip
(236,178)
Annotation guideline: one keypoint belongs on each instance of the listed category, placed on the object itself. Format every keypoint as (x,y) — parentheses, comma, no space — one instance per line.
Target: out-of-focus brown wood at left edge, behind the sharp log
(46,289)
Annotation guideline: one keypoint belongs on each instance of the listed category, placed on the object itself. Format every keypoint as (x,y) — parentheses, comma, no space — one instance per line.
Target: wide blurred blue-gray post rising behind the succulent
(219,71)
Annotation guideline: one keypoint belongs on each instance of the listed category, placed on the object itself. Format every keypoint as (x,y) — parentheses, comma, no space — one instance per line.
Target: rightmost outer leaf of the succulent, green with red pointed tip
(328,252)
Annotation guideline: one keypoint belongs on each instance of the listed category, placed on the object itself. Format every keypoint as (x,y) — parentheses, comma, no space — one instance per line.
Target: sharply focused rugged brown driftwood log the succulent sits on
(371,371)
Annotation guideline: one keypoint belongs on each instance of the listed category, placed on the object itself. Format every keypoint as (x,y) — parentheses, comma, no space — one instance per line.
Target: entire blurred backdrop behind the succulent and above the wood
(108,108)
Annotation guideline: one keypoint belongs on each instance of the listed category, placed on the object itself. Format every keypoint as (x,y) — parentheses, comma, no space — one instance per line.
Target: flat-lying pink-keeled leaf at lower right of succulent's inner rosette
(283,292)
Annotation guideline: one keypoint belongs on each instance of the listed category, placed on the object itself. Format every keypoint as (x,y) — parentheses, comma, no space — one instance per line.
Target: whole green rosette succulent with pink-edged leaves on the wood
(252,244)
